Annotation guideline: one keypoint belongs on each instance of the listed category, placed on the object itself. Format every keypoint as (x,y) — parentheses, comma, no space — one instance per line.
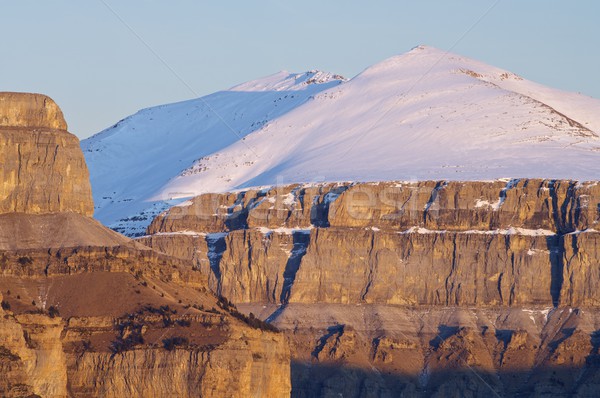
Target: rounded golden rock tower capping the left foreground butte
(42,167)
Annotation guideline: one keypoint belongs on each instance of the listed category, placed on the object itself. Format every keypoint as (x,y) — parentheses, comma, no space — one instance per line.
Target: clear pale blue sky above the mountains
(91,58)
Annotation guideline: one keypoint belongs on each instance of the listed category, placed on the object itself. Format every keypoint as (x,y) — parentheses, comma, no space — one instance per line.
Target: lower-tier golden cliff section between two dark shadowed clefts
(428,268)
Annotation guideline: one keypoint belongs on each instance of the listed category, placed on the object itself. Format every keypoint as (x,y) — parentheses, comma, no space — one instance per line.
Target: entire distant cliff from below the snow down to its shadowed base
(437,286)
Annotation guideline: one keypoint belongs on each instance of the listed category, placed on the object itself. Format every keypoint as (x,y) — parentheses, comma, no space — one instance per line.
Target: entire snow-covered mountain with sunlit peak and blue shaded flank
(425,114)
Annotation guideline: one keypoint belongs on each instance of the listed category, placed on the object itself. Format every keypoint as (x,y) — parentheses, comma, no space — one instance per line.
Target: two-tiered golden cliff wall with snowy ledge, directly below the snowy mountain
(428,243)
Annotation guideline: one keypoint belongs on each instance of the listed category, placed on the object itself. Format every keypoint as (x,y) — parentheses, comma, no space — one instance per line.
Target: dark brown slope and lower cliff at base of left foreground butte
(111,334)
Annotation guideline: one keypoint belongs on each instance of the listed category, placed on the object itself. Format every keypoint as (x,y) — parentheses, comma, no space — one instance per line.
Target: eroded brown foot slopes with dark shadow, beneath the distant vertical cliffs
(376,350)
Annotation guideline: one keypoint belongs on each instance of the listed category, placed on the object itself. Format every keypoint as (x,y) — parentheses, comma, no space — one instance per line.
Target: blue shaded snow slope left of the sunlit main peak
(132,160)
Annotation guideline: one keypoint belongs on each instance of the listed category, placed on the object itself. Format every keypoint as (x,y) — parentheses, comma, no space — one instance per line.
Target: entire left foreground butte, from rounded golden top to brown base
(88,312)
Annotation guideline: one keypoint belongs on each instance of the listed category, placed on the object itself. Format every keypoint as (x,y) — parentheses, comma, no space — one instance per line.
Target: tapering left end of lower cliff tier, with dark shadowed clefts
(245,265)
